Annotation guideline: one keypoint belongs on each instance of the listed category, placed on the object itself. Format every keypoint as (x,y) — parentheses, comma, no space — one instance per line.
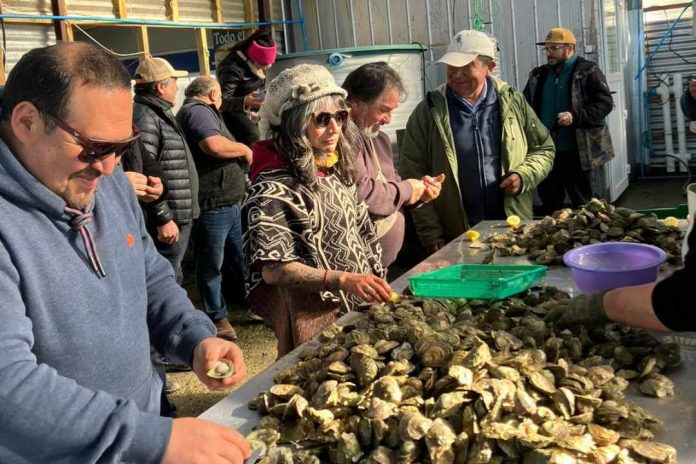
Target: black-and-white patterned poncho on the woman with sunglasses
(322,228)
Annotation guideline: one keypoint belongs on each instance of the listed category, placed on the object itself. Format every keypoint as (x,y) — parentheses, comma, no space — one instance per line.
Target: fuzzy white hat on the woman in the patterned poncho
(292,87)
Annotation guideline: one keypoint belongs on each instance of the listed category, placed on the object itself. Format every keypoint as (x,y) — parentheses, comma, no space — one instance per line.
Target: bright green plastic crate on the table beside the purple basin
(480,281)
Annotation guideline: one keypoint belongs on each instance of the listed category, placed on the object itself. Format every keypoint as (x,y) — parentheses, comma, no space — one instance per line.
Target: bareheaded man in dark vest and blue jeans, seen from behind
(221,163)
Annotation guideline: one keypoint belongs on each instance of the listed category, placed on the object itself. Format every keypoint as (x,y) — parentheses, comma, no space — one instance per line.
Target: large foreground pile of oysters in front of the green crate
(457,381)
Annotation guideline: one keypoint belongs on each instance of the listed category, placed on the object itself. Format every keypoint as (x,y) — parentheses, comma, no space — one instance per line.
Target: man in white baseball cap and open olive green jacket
(483,135)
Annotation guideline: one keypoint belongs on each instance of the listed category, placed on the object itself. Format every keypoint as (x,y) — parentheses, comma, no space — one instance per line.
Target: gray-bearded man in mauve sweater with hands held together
(374,92)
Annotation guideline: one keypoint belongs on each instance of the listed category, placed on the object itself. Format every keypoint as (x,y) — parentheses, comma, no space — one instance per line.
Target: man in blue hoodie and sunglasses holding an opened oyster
(84,290)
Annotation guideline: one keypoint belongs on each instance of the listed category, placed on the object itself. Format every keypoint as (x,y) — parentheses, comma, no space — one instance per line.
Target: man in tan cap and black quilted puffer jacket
(155,95)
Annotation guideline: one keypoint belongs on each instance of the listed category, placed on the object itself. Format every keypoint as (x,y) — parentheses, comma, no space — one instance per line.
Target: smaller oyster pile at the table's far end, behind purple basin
(595,222)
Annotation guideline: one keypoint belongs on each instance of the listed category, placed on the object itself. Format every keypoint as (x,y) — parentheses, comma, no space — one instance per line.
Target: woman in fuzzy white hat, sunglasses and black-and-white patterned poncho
(310,249)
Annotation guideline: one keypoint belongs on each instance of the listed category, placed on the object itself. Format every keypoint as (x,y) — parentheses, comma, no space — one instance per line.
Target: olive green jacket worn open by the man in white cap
(428,149)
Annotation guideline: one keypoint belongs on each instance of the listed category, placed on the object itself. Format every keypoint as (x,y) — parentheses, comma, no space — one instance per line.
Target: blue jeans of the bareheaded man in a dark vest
(218,230)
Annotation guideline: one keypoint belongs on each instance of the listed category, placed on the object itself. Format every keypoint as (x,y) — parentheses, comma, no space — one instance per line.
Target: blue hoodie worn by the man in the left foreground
(76,382)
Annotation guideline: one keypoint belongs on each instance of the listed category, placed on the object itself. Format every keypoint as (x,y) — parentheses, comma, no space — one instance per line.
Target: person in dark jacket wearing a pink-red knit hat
(242,75)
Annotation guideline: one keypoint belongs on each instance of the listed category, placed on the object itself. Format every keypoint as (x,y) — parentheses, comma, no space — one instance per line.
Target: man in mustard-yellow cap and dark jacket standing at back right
(572,99)
